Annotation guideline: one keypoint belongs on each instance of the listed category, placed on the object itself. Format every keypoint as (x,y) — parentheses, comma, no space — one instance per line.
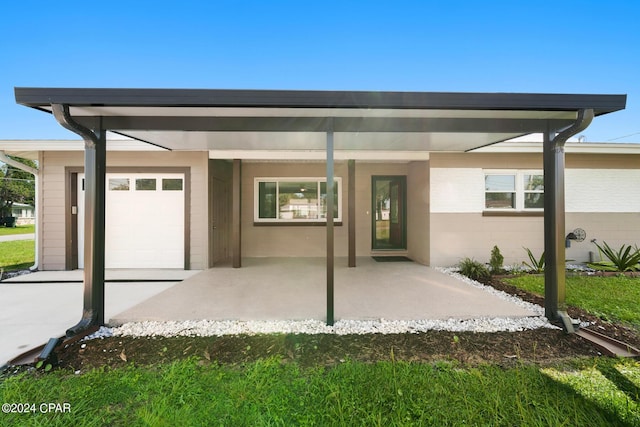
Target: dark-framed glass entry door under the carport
(389,212)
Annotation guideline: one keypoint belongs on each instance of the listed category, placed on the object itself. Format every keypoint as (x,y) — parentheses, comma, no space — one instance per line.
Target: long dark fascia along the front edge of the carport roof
(34,97)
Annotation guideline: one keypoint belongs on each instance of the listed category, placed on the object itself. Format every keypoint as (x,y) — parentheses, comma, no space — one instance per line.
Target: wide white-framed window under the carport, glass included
(294,200)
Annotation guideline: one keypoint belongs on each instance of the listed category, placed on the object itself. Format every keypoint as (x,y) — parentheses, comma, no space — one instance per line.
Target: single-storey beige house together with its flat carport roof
(208,177)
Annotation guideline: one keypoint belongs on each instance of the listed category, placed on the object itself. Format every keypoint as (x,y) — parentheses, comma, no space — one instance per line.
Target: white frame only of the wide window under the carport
(293,221)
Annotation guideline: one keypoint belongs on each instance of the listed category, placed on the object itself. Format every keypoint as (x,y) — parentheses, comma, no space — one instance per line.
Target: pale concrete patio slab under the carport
(295,289)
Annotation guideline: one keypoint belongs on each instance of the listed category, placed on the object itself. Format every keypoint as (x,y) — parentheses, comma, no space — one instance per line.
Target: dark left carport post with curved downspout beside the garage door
(94,226)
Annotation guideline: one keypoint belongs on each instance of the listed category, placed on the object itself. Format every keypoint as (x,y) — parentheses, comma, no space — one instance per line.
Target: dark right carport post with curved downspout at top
(554,217)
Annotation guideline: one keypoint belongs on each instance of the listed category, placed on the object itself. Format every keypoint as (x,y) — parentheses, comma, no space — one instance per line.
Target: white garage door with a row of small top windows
(144,220)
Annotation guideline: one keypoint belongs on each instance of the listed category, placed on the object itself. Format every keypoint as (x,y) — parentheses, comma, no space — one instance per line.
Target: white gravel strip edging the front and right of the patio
(202,328)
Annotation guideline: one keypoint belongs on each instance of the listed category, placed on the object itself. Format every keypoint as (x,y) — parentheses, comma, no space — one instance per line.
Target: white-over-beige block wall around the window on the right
(602,197)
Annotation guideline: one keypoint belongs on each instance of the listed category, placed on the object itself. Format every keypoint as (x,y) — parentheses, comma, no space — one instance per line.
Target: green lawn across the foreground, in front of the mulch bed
(269,392)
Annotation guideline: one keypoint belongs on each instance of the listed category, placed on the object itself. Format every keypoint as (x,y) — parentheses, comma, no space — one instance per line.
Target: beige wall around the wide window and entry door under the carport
(310,241)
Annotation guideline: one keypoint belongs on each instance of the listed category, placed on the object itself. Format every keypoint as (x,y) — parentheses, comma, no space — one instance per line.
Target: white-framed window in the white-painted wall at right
(513,190)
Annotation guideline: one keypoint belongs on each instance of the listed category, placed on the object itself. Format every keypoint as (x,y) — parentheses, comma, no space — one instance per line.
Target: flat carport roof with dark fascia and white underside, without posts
(205,118)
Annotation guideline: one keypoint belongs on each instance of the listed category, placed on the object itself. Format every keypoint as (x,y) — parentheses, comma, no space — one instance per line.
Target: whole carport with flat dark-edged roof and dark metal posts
(333,122)
